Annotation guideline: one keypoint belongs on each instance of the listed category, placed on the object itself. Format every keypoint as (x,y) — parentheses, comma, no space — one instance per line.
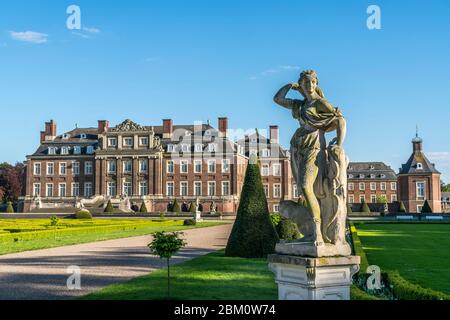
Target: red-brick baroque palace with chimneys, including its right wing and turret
(129,164)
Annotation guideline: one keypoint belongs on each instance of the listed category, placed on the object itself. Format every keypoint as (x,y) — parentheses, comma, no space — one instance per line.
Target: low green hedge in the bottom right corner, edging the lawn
(405,290)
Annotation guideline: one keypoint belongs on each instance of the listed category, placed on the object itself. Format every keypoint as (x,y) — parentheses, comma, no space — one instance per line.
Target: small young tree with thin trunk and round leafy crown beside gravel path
(165,246)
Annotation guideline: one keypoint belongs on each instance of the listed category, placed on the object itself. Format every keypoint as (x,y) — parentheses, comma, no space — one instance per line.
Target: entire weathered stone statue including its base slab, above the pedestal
(320,171)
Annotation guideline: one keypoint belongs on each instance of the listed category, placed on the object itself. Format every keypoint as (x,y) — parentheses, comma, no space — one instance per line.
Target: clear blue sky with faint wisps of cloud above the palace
(197,60)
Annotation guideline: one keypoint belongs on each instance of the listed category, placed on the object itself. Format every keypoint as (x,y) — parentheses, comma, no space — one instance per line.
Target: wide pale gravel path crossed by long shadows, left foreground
(43,274)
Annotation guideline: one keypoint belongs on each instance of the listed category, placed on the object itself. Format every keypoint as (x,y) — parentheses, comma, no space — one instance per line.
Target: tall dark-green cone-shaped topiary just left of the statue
(253,234)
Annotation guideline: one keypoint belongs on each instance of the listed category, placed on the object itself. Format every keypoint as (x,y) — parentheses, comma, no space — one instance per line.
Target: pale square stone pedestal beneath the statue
(303,278)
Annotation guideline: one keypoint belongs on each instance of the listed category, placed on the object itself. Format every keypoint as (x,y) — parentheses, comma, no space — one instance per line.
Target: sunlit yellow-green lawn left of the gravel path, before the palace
(32,234)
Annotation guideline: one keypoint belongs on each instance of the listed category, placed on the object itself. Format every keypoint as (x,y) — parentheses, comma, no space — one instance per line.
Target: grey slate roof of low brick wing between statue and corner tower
(370,170)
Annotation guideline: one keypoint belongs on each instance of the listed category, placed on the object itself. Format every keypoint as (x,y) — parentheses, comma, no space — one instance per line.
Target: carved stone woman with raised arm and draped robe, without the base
(320,171)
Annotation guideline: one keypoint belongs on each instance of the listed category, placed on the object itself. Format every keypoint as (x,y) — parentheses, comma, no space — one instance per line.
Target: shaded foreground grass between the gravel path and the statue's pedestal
(211,277)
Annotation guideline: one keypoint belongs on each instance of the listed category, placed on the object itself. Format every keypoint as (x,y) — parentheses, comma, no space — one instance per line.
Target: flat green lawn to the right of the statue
(419,252)
